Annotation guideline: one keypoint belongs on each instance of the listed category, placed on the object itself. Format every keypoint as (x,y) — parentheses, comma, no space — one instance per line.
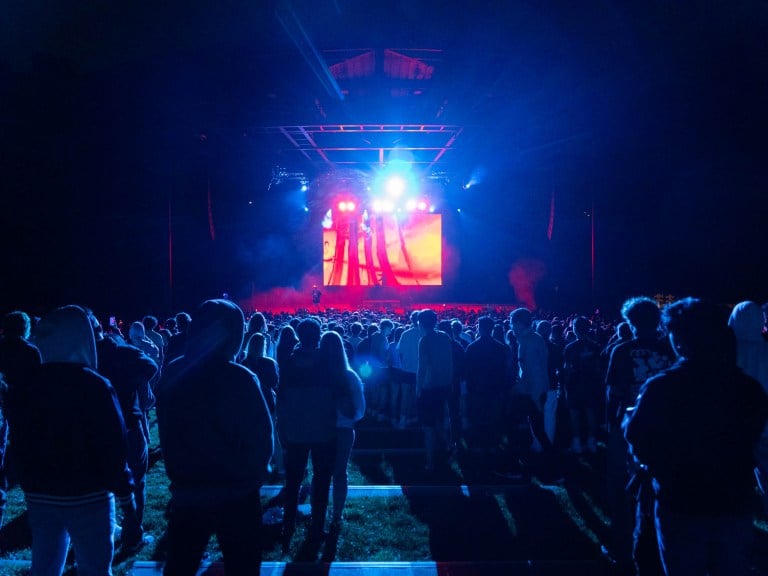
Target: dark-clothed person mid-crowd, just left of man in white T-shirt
(487,387)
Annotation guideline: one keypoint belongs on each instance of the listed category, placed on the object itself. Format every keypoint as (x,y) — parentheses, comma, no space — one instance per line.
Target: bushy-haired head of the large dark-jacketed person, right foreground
(699,330)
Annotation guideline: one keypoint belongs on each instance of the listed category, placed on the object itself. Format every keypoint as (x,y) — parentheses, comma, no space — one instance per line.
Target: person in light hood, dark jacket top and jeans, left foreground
(70,449)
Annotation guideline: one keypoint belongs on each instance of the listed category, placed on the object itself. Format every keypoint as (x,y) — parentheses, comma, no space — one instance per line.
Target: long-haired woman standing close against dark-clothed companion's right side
(350,408)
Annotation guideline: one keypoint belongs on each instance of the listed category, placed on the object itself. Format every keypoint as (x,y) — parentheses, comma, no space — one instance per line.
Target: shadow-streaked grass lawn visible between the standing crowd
(467,517)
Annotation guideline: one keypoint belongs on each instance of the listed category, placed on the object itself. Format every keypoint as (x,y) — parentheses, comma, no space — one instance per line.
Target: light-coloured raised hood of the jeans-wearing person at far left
(66,335)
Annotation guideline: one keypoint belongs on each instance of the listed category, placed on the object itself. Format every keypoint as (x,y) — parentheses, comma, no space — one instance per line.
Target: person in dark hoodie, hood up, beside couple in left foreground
(216,437)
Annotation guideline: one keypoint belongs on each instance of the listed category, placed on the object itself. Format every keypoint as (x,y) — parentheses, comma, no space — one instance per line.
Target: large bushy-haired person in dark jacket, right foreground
(694,429)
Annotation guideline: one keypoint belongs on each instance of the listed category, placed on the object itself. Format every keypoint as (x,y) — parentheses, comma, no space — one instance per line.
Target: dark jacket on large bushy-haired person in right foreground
(695,428)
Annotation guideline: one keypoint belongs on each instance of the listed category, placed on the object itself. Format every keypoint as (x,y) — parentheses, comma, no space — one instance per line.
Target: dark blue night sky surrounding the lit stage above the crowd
(649,118)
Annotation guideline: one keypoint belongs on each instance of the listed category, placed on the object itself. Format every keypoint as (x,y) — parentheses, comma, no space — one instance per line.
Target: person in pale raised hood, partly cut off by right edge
(746,321)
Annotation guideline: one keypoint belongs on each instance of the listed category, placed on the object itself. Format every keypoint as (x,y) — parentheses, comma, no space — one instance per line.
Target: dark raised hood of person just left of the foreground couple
(216,331)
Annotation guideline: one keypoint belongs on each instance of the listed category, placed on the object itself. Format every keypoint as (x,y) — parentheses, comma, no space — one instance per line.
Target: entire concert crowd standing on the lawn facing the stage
(676,397)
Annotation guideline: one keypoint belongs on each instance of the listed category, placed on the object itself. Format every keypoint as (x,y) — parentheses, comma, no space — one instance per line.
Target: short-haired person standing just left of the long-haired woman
(306,422)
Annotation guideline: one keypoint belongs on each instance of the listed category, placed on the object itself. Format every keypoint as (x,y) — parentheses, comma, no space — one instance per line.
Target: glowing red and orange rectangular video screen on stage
(392,249)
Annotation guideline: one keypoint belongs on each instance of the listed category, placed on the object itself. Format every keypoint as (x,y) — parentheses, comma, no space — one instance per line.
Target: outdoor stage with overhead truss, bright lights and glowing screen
(378,208)
